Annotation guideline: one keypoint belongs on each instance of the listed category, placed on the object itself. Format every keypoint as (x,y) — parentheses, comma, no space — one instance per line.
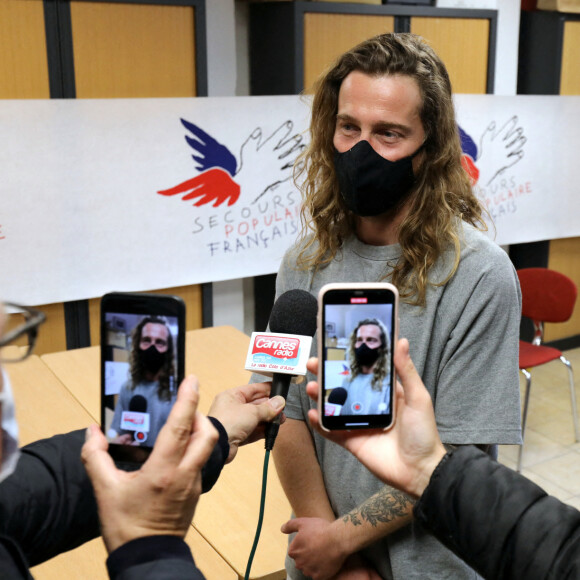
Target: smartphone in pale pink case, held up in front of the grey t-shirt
(357,330)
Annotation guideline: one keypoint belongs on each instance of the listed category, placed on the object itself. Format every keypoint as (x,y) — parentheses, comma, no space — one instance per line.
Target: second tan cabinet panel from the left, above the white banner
(130,50)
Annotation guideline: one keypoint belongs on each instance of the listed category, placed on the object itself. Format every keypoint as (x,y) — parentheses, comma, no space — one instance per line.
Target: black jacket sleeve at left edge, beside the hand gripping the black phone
(47,505)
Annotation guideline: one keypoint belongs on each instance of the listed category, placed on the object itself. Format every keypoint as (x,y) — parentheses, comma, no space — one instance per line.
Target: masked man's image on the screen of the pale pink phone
(368,386)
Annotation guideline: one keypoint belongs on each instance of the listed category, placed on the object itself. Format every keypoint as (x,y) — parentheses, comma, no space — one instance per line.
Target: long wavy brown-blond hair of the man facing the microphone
(441,196)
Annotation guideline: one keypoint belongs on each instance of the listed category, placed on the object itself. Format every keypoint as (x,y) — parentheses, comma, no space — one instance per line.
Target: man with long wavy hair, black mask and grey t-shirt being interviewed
(385,198)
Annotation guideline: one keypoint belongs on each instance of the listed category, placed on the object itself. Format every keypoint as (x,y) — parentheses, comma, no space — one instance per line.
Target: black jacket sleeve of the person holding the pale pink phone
(499,522)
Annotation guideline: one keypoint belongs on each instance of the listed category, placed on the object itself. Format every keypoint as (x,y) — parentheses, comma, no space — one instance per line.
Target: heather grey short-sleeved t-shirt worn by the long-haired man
(464,343)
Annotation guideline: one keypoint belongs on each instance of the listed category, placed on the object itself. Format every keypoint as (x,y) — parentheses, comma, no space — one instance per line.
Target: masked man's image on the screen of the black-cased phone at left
(151,388)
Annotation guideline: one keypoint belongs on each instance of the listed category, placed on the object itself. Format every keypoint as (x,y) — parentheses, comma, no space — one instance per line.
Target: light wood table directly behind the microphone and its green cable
(227,516)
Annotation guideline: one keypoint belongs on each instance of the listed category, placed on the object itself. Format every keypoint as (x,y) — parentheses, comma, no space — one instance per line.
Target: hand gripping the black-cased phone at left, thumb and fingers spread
(160,498)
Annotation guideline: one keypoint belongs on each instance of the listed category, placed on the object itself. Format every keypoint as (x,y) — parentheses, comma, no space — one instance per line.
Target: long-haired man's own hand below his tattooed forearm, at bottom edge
(315,549)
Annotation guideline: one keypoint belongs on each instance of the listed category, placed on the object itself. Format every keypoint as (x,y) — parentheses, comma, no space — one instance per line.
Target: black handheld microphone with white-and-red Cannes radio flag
(282,353)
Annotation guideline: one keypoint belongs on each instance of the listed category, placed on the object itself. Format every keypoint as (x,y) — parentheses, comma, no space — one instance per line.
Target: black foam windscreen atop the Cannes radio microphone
(294,313)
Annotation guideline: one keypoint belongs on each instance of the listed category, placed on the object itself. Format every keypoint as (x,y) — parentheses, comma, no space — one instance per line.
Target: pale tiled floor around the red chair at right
(551,456)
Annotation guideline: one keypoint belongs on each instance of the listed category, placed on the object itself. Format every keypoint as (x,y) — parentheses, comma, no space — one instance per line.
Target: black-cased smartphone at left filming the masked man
(142,366)
